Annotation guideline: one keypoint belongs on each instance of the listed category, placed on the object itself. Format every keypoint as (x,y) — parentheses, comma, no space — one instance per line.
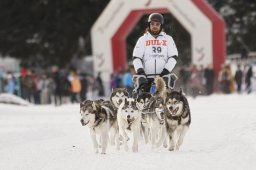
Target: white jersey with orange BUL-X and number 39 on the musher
(155,54)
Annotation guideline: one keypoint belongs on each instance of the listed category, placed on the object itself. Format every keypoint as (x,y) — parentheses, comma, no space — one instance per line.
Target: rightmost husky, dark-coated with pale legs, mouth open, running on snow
(178,118)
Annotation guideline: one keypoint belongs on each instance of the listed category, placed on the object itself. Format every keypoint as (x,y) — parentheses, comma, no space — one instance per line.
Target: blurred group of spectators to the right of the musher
(235,77)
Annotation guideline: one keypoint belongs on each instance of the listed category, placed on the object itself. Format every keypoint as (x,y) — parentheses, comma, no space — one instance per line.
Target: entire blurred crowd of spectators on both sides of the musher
(60,85)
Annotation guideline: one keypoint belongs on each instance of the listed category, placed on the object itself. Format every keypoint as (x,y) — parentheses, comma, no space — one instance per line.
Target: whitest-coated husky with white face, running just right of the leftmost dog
(129,119)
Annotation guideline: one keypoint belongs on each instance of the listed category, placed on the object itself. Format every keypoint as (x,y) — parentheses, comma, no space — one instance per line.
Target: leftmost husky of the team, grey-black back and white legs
(100,116)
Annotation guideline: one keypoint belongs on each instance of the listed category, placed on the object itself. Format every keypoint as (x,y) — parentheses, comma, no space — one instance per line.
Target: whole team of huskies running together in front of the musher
(163,118)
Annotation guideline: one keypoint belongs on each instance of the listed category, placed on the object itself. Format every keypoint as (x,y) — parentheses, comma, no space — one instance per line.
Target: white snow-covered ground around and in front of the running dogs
(222,136)
